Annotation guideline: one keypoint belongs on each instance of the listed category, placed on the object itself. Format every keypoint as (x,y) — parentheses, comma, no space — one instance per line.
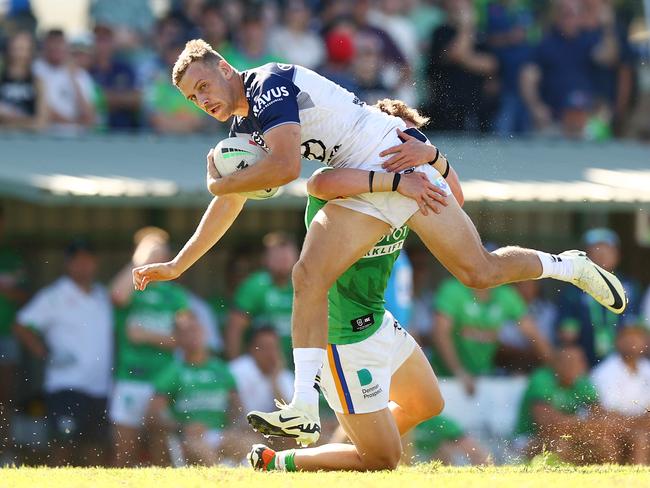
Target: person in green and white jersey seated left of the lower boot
(197,398)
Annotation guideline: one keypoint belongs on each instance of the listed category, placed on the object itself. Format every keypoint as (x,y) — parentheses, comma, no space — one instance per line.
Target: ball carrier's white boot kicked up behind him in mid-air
(602,285)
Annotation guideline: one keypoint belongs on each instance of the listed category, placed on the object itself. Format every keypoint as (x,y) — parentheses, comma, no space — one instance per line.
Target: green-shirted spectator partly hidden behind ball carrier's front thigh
(265,297)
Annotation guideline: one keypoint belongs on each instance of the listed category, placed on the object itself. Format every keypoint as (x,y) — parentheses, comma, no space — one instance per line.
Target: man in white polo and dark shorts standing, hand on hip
(69,325)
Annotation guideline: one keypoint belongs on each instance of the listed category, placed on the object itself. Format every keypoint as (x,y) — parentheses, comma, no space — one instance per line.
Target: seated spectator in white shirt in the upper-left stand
(68,89)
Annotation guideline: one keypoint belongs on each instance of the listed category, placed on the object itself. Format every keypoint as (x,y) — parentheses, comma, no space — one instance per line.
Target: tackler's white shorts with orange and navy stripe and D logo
(356,377)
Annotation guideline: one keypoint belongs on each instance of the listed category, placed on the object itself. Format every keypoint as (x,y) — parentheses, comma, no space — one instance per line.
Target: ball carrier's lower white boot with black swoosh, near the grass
(297,422)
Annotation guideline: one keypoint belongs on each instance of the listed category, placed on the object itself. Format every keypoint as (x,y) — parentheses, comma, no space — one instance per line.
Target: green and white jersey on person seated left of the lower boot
(197,392)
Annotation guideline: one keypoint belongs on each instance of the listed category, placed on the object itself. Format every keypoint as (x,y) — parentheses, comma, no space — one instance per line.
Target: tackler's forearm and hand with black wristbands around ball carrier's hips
(330,183)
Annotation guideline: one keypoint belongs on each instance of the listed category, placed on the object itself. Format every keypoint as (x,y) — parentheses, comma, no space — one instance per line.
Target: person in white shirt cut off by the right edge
(623,384)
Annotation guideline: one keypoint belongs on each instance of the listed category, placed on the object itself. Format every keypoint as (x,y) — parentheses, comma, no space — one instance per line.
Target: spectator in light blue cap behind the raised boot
(581,320)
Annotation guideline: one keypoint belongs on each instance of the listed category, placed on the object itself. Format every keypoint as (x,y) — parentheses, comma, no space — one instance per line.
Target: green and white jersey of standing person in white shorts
(154,309)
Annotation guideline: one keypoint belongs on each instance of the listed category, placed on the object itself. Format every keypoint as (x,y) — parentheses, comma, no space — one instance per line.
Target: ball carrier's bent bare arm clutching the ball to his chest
(279,167)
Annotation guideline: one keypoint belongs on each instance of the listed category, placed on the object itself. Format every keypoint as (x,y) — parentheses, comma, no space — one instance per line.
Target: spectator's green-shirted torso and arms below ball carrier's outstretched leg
(467,327)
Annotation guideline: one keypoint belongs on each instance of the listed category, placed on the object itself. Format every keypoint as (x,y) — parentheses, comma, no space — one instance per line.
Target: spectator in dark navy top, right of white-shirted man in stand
(116,81)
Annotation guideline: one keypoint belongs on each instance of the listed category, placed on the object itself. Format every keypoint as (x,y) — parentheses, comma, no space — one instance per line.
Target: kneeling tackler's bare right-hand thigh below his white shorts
(414,388)
